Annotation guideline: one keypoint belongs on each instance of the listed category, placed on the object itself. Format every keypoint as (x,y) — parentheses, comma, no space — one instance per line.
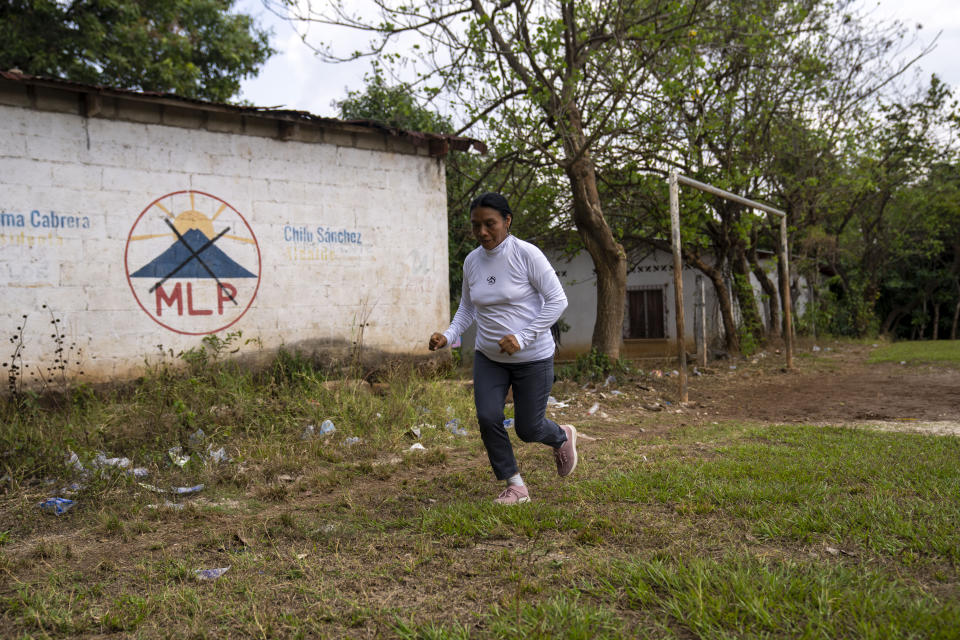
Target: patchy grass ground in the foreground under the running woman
(710,531)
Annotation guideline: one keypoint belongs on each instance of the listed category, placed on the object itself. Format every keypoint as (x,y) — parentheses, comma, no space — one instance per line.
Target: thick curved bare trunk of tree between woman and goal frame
(609,258)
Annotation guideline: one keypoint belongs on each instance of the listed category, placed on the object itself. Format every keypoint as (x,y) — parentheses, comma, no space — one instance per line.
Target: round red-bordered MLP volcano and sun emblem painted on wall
(192,262)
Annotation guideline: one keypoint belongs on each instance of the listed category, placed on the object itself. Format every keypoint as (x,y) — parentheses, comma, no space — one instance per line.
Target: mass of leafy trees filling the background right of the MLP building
(803,104)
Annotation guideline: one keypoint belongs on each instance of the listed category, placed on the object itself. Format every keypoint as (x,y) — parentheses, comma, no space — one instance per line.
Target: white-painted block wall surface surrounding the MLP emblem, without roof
(107,172)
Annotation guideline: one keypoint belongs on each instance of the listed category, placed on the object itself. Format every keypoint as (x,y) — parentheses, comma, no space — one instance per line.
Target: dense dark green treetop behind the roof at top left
(193,48)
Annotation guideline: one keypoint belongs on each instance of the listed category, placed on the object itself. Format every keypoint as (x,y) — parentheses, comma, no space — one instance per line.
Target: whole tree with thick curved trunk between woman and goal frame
(559,80)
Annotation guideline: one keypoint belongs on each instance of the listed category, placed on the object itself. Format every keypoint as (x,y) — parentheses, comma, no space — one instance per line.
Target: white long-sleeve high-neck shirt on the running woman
(511,289)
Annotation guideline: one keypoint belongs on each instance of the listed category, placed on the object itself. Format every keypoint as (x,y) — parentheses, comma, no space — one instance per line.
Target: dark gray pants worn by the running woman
(531,382)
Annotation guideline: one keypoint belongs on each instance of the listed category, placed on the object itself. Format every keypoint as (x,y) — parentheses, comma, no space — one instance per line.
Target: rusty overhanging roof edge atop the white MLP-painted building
(438,144)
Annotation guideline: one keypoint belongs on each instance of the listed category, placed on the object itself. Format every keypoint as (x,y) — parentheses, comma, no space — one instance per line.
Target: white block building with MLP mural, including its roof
(145,220)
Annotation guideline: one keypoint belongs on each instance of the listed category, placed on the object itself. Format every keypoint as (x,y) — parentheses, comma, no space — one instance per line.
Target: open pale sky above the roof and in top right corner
(295,78)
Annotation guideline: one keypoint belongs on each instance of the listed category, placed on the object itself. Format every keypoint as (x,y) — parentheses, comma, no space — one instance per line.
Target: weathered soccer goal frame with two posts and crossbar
(674,181)
